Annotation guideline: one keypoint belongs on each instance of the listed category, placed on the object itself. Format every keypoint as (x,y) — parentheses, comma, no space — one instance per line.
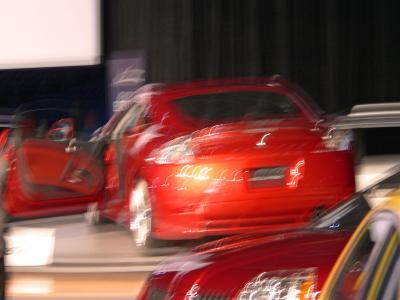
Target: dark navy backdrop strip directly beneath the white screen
(81,89)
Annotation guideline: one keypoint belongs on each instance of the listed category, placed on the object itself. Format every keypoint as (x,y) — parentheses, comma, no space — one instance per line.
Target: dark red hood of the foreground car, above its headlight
(225,272)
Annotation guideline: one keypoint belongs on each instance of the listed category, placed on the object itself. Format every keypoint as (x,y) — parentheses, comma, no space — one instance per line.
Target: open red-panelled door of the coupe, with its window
(53,171)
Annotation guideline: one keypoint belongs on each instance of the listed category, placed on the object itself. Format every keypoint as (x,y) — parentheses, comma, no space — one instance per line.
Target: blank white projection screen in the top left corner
(47,33)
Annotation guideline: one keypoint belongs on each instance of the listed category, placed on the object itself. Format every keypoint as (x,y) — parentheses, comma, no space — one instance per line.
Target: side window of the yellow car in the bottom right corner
(359,268)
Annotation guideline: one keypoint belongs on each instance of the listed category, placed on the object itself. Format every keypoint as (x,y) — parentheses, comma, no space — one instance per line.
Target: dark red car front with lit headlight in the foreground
(285,265)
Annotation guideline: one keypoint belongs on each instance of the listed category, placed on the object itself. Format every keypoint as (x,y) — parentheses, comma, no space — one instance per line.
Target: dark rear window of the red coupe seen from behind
(247,105)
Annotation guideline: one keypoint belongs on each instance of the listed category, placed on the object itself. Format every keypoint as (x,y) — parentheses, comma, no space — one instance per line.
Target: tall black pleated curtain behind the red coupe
(341,52)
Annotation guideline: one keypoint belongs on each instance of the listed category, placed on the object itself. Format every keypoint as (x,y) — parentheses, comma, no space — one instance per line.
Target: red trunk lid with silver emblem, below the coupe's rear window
(255,137)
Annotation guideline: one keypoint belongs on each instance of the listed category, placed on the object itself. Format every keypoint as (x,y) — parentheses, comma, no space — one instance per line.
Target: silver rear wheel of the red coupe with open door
(141,217)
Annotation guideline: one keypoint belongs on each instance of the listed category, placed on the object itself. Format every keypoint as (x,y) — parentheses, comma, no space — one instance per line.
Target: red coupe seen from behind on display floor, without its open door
(219,157)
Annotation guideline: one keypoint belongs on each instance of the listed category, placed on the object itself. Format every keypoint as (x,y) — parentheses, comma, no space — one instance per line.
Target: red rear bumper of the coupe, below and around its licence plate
(198,203)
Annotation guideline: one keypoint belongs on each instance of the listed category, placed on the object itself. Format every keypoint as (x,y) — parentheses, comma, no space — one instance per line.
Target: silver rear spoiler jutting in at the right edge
(375,115)
